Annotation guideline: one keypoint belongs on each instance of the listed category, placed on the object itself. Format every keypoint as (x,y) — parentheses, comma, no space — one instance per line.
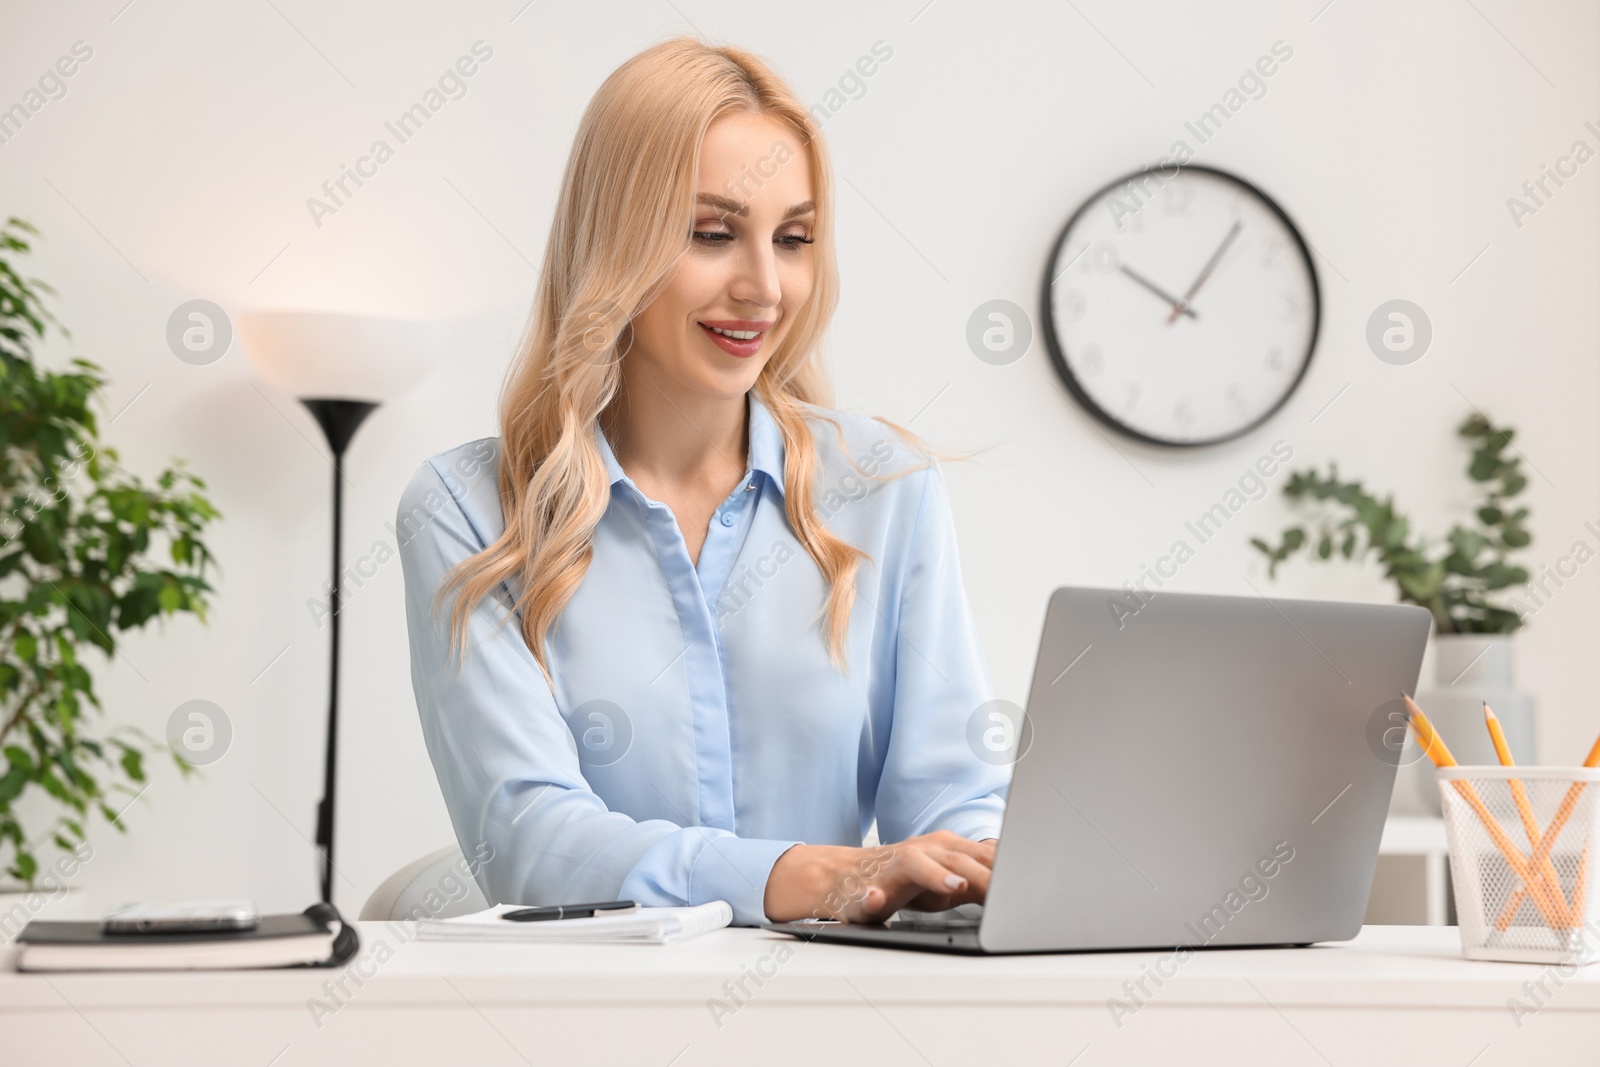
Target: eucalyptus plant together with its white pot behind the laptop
(1462,581)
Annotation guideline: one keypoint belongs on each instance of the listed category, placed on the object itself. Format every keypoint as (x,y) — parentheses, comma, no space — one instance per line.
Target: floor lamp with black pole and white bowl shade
(342,369)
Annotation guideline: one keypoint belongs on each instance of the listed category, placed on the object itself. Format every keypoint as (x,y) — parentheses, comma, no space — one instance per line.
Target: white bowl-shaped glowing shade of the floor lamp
(330,356)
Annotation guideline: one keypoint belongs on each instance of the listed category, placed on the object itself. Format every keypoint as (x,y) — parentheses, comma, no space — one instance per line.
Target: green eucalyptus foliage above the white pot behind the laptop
(1455,581)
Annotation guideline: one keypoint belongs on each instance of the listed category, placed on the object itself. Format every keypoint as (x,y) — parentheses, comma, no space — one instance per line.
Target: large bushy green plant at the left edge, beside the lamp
(81,543)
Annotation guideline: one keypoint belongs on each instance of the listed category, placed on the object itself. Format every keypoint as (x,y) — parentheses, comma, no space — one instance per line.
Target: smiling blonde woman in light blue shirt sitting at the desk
(740,625)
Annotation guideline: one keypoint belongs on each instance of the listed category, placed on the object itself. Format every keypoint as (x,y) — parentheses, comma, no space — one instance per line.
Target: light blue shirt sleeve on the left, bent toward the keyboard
(508,762)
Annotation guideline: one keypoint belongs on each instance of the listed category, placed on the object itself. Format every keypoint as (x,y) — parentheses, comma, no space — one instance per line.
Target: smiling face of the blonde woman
(748,271)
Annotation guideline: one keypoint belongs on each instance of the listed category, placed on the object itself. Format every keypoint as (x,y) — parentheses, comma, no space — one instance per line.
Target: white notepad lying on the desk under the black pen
(649,925)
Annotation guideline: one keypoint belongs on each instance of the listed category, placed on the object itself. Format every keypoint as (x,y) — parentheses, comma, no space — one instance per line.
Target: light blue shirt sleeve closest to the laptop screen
(937,773)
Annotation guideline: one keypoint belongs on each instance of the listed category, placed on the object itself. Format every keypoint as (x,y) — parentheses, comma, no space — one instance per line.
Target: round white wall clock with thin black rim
(1182,310)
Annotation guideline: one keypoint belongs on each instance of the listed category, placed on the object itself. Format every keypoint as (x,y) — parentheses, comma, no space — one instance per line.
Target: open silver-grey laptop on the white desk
(1193,770)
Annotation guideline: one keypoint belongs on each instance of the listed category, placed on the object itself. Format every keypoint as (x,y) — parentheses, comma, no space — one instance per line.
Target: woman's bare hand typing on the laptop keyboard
(866,885)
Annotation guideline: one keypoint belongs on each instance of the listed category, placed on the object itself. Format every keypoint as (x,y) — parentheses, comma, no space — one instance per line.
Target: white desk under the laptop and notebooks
(1396,996)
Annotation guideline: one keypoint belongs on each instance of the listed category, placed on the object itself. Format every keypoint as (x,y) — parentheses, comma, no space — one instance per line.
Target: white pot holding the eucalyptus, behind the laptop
(1468,671)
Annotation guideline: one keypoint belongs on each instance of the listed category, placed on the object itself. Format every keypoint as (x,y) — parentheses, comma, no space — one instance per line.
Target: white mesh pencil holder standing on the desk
(1522,897)
